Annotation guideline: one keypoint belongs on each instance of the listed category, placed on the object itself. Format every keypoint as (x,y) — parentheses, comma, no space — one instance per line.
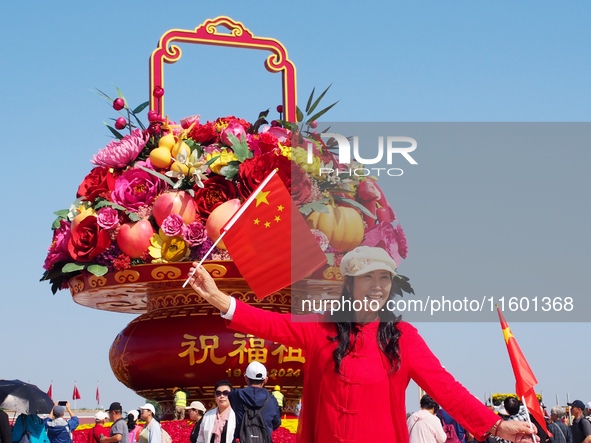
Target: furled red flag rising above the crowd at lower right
(525,380)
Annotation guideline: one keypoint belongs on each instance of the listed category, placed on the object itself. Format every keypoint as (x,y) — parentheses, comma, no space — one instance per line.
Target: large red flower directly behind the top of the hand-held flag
(253,171)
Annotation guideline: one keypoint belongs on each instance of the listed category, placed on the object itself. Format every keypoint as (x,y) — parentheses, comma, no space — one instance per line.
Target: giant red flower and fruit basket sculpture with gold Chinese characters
(155,201)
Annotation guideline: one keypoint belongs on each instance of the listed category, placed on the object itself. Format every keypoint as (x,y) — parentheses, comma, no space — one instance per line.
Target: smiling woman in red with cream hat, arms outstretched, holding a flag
(359,363)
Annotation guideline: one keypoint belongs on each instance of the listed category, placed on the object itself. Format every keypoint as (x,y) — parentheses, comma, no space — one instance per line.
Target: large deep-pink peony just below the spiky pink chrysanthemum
(136,188)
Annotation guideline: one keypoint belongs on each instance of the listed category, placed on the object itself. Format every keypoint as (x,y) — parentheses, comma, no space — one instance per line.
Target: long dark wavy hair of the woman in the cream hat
(388,334)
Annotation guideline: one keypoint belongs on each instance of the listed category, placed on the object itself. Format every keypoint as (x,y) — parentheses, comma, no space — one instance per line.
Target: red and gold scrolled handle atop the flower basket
(208,34)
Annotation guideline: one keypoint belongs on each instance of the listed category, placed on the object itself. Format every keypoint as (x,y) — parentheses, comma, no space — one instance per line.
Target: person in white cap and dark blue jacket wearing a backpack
(254,396)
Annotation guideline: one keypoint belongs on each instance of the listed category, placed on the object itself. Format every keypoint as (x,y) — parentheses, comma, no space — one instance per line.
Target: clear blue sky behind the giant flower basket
(477,218)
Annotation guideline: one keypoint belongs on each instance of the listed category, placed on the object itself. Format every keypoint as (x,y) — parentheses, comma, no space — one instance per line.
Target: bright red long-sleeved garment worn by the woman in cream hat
(366,402)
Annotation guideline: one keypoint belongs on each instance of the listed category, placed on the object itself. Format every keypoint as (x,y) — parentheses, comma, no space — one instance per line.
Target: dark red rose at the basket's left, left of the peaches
(88,240)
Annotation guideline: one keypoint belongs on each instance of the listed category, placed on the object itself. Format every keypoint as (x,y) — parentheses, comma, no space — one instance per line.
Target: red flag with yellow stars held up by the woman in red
(269,240)
